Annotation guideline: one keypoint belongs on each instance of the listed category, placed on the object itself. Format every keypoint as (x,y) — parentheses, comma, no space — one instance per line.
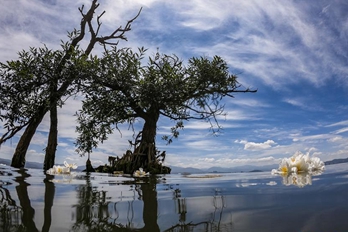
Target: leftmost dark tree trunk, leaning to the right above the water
(18,159)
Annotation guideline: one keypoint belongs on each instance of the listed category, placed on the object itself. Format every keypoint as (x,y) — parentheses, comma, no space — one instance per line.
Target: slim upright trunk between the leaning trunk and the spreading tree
(52,137)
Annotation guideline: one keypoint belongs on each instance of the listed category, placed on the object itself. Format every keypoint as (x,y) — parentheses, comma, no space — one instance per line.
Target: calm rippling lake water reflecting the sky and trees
(31,201)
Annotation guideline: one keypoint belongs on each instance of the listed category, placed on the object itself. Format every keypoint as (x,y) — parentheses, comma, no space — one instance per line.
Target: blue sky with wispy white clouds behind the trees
(293,52)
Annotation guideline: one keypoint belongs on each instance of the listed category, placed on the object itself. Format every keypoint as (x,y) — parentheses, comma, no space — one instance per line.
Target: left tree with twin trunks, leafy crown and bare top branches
(40,81)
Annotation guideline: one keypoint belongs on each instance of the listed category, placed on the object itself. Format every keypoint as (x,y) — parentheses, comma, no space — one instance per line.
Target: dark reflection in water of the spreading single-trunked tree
(95,213)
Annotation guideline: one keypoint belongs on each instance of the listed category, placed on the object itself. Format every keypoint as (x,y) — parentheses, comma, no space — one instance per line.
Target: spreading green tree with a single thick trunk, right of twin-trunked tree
(121,90)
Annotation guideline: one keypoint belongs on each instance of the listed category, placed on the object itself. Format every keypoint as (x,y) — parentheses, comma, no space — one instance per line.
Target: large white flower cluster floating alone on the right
(299,169)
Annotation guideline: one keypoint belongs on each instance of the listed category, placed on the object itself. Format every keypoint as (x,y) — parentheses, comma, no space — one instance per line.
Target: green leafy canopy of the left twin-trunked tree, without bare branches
(25,84)
